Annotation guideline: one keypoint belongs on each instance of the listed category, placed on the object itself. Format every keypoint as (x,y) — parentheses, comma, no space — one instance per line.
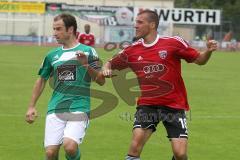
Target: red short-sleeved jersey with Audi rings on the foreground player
(158,69)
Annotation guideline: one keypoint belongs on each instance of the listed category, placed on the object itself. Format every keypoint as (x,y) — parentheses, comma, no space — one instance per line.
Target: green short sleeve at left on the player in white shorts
(46,69)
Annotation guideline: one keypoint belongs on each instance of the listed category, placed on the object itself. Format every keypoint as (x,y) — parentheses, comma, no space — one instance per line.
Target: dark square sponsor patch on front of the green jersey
(66,73)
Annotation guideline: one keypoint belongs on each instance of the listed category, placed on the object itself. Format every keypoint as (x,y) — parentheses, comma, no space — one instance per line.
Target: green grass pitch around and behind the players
(213,91)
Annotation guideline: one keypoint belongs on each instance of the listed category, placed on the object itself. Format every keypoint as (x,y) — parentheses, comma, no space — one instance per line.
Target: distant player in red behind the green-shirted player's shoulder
(86,38)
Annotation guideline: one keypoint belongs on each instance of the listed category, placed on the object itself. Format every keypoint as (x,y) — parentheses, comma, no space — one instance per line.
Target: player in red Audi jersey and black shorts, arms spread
(157,63)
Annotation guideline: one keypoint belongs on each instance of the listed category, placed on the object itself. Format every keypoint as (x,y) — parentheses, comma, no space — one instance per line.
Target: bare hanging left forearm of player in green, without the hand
(37,91)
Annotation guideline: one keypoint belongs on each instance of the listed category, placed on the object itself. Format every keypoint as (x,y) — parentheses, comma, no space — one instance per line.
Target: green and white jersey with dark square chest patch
(70,81)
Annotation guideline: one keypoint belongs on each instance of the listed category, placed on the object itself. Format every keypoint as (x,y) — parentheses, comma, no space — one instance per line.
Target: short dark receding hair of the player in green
(68,20)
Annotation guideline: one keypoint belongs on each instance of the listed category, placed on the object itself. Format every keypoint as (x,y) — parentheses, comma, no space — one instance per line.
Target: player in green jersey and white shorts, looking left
(71,69)
